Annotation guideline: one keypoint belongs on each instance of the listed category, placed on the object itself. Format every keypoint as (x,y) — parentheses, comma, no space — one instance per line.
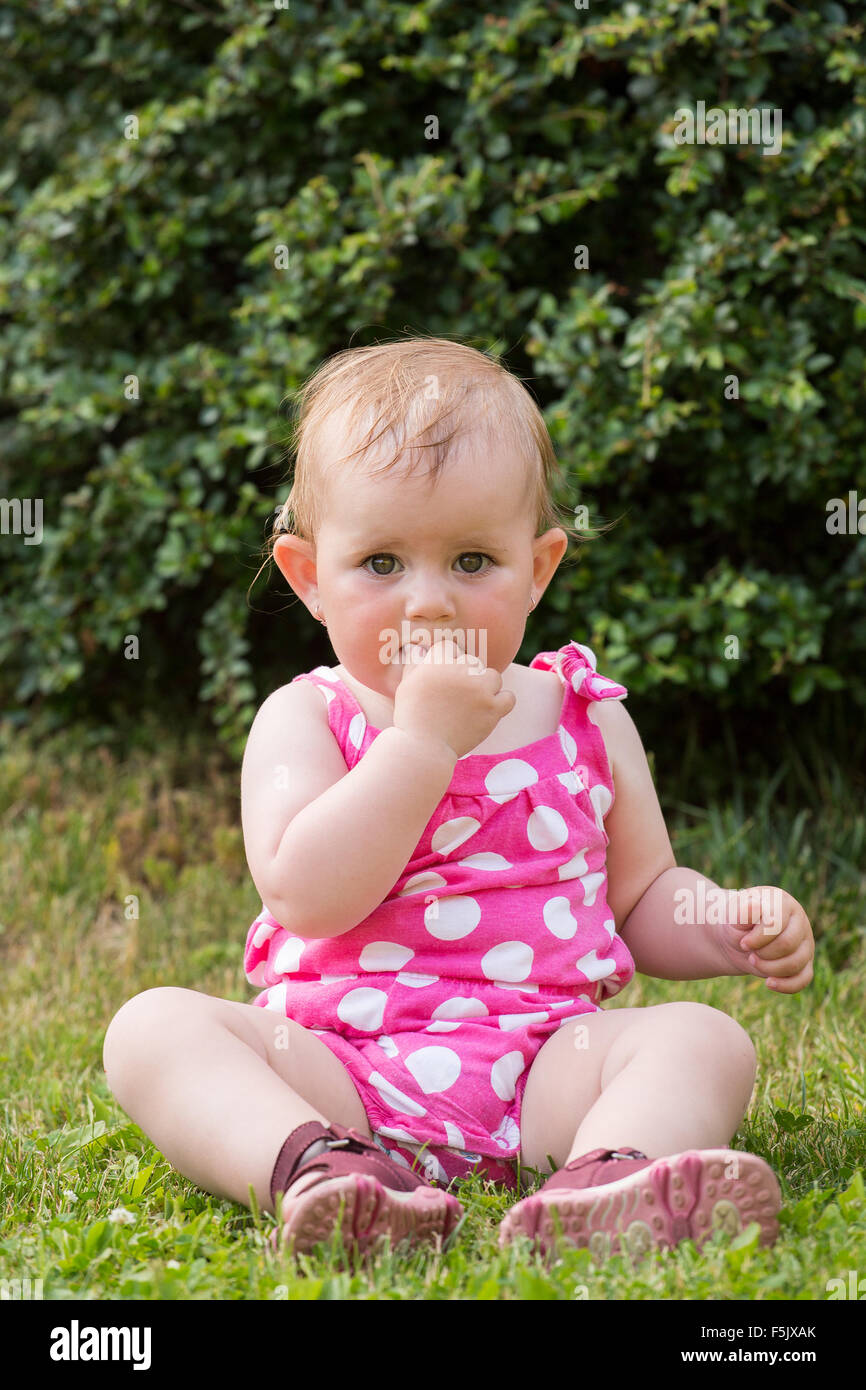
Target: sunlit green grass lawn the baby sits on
(94,1210)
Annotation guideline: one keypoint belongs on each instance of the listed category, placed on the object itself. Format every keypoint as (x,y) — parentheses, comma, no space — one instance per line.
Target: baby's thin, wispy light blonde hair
(422,383)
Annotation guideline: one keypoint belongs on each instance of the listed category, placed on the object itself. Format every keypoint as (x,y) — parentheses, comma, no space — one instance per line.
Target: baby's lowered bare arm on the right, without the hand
(643,874)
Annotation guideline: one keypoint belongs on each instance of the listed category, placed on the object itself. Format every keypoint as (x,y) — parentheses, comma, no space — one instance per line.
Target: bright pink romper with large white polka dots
(496,935)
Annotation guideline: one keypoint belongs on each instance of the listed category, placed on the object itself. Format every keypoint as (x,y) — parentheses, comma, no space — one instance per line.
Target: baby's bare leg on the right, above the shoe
(660,1079)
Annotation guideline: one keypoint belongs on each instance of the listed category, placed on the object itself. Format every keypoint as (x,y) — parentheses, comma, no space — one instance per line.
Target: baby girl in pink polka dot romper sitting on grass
(461,860)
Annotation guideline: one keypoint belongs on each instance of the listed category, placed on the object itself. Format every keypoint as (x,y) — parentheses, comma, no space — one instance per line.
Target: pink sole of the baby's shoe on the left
(365,1213)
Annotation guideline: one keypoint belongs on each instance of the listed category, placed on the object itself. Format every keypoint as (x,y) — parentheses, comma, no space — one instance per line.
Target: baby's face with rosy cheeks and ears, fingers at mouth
(397,559)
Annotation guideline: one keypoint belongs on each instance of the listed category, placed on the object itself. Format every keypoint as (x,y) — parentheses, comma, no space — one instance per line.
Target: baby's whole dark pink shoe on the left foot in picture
(357,1188)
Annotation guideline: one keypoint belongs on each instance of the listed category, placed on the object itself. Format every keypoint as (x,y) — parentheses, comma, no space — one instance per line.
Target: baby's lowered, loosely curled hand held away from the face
(769,935)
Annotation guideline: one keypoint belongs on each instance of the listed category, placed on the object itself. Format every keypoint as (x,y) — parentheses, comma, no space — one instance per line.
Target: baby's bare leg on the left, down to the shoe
(219,1086)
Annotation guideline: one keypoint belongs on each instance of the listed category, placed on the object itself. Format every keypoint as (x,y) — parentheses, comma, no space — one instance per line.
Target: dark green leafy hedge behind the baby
(311,129)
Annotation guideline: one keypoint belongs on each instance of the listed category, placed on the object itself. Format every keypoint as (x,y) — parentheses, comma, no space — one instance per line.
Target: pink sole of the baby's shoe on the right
(680,1197)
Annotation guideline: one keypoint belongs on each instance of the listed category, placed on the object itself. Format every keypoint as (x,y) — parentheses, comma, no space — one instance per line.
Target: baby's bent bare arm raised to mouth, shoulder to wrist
(325,844)
